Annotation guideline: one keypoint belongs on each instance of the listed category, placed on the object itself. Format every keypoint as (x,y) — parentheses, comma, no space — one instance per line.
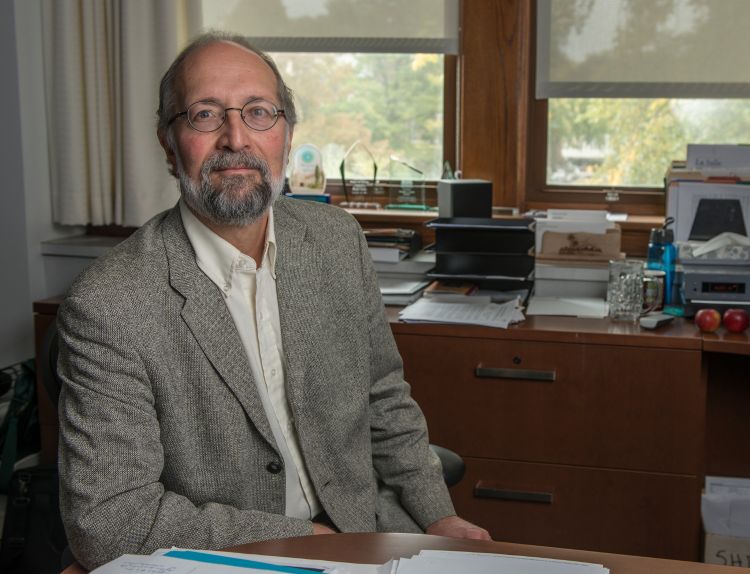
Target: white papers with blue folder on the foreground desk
(177,561)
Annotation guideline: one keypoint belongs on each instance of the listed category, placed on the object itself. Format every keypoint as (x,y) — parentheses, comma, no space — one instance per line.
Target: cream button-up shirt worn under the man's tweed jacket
(249,291)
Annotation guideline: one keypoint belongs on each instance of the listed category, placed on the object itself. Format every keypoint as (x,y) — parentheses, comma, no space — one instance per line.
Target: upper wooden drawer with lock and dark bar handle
(590,405)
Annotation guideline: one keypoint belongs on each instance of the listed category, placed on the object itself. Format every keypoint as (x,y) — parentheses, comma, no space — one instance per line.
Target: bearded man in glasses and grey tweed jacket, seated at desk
(229,374)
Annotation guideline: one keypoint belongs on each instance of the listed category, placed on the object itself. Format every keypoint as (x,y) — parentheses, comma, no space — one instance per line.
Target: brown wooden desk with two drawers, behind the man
(584,433)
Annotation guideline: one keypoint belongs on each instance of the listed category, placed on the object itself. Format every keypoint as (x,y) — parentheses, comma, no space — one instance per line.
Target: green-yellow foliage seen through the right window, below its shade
(631,142)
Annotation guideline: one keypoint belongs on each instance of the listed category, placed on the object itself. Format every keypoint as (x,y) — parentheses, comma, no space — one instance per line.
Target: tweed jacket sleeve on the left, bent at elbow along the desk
(111,457)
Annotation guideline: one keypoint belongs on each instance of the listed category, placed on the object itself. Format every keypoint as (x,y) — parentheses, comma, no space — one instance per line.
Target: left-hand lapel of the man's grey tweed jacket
(208,318)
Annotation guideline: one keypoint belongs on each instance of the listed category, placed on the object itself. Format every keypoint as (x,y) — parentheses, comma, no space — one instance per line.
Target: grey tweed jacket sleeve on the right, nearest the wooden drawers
(401,455)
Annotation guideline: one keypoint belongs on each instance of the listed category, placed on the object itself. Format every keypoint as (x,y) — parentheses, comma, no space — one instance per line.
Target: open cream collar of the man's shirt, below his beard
(218,258)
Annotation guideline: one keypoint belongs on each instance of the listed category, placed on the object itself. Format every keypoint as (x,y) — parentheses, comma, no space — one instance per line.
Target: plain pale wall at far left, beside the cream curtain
(25,205)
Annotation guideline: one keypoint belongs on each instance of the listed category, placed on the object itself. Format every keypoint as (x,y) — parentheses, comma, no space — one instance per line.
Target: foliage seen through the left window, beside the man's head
(391,103)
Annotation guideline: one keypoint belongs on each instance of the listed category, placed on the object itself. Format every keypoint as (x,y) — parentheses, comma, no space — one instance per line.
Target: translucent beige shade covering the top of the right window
(643,49)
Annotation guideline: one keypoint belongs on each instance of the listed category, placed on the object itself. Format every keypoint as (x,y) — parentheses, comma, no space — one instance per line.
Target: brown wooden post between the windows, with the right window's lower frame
(503,128)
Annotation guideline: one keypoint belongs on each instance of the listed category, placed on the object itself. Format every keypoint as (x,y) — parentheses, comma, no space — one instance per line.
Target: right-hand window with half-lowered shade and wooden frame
(622,86)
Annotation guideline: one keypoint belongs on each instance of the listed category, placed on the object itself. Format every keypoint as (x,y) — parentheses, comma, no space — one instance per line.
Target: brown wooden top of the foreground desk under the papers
(379,548)
